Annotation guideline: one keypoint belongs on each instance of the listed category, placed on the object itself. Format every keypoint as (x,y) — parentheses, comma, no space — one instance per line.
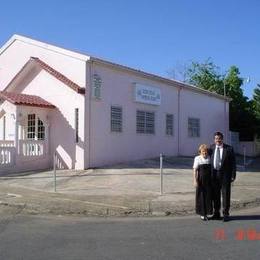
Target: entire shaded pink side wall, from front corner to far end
(107,147)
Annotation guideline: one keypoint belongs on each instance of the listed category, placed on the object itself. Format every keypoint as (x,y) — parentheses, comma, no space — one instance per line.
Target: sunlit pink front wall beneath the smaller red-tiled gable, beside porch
(62,119)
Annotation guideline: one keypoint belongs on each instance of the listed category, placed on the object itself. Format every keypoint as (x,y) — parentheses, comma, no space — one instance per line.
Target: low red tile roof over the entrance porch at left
(26,100)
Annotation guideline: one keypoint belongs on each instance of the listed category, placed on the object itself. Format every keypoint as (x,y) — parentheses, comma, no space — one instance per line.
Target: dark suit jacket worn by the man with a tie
(228,162)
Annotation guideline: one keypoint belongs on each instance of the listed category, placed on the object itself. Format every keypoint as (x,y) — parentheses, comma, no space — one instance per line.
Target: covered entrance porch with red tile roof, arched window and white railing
(24,132)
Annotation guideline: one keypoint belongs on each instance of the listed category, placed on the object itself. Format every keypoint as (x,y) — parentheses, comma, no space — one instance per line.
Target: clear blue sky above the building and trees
(154,36)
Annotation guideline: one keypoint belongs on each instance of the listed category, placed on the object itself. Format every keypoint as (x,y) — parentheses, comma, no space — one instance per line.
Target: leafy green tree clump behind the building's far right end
(207,76)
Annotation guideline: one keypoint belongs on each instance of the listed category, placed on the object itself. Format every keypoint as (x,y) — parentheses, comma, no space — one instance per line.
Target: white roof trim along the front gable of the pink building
(43,45)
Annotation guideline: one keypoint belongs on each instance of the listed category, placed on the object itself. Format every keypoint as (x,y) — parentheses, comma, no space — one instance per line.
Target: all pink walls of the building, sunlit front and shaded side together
(97,144)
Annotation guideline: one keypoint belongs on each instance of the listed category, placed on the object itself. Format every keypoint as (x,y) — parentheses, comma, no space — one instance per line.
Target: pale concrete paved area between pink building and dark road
(131,189)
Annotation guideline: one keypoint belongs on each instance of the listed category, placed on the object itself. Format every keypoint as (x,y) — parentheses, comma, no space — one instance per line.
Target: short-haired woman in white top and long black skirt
(202,182)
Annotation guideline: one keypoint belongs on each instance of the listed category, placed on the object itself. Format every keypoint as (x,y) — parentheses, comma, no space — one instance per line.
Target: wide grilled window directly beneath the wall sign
(145,122)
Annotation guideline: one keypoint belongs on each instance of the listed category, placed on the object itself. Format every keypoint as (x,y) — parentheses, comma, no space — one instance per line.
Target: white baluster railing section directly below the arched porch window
(31,148)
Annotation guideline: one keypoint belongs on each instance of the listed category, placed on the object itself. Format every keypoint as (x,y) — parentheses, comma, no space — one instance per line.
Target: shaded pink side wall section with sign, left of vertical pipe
(108,147)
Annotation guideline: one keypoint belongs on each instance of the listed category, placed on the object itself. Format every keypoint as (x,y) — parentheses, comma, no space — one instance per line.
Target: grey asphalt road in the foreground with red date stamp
(54,237)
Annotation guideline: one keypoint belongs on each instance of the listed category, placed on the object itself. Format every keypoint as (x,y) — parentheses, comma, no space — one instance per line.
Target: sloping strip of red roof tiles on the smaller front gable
(59,75)
